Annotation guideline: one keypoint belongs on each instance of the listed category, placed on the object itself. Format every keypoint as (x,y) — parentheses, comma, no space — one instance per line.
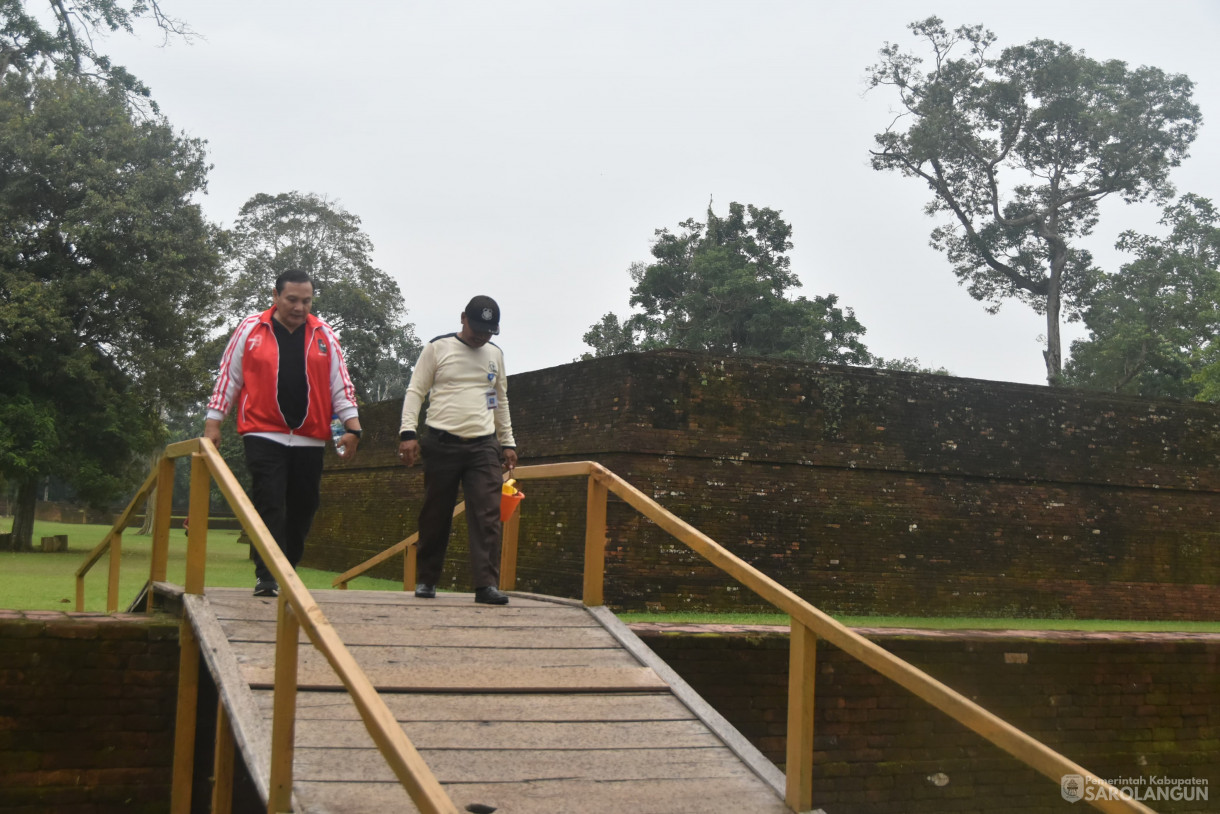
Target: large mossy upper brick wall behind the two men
(864,491)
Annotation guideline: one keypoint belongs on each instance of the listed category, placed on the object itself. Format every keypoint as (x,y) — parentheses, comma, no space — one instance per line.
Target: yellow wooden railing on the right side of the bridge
(808,624)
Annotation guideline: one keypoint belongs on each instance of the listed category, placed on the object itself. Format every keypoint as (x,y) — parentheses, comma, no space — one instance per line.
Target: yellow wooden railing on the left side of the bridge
(297,610)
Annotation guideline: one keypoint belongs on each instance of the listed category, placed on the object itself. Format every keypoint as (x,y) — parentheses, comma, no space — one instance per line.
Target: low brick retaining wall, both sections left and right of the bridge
(87,708)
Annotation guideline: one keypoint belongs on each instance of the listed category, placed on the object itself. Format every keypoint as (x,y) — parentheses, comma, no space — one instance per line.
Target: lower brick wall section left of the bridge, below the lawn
(87,712)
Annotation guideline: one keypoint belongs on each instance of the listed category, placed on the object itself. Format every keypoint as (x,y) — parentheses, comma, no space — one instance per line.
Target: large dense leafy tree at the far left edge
(108,284)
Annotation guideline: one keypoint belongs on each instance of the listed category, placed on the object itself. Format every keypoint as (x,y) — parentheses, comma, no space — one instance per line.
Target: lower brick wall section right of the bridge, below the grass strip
(1122,706)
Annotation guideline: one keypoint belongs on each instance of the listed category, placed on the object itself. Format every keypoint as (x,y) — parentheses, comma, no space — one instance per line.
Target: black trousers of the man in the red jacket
(285,484)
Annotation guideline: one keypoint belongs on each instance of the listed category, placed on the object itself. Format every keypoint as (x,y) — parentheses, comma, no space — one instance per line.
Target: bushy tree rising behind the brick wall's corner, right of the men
(722,287)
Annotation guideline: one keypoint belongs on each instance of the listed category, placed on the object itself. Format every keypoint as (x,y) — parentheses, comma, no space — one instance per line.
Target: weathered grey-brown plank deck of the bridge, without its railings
(542,706)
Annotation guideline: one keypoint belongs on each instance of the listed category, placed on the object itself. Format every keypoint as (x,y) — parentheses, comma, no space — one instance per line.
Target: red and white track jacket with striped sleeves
(249,378)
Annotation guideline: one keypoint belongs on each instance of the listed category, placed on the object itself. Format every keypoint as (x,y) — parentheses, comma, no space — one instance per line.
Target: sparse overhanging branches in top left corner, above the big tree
(27,46)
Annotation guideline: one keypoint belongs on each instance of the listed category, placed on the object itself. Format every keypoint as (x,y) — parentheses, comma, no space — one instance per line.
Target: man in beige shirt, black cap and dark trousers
(468,441)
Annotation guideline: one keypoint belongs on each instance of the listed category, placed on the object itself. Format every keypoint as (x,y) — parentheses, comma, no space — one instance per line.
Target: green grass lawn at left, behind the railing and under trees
(38,582)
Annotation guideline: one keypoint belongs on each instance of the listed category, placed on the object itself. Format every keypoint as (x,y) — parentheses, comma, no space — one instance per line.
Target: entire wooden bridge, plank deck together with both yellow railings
(347,701)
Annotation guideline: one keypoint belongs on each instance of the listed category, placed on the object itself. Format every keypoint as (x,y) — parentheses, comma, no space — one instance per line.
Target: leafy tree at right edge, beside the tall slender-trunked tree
(1151,324)
